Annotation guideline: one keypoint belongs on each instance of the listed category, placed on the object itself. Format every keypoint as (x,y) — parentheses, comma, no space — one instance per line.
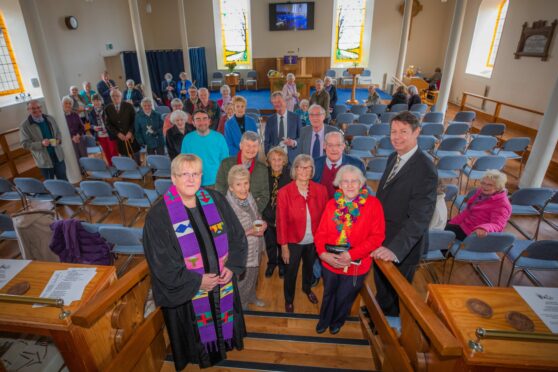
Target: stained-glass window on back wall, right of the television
(350,19)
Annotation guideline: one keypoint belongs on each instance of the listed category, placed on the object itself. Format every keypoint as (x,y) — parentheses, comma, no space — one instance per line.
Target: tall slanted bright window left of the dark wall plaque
(486,39)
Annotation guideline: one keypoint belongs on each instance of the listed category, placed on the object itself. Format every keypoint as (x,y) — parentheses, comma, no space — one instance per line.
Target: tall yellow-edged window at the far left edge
(10,78)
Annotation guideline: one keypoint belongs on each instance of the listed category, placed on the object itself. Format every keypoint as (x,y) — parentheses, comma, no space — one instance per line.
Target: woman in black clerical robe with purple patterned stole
(197,300)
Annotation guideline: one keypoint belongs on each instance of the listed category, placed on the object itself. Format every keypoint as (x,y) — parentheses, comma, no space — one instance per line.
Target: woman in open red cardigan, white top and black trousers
(299,207)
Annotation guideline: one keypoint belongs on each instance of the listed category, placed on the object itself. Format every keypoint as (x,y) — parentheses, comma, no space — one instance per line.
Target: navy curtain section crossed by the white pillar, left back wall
(159,62)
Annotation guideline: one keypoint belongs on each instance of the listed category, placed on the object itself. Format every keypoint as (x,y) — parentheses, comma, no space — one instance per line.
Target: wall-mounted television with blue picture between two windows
(291,16)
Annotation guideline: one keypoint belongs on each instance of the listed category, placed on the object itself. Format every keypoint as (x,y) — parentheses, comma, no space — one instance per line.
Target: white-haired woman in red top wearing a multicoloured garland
(353,221)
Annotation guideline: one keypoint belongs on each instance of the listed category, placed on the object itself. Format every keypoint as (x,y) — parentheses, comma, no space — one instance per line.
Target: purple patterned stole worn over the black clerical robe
(193,260)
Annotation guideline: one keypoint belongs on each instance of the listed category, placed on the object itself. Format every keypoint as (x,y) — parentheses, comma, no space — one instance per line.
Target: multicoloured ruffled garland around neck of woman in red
(347,213)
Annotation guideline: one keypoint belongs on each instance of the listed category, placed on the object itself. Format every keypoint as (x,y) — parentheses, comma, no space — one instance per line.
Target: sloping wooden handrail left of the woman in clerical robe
(97,306)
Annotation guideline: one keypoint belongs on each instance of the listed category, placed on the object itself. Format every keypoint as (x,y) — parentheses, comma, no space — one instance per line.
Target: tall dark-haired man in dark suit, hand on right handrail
(407,192)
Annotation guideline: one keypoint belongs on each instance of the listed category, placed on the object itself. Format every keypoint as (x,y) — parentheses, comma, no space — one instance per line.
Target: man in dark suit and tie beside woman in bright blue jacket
(283,128)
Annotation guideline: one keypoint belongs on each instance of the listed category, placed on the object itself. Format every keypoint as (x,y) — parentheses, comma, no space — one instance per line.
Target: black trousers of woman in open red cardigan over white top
(306,253)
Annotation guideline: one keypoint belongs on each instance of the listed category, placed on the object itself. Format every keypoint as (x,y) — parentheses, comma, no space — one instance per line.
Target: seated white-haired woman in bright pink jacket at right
(488,210)
